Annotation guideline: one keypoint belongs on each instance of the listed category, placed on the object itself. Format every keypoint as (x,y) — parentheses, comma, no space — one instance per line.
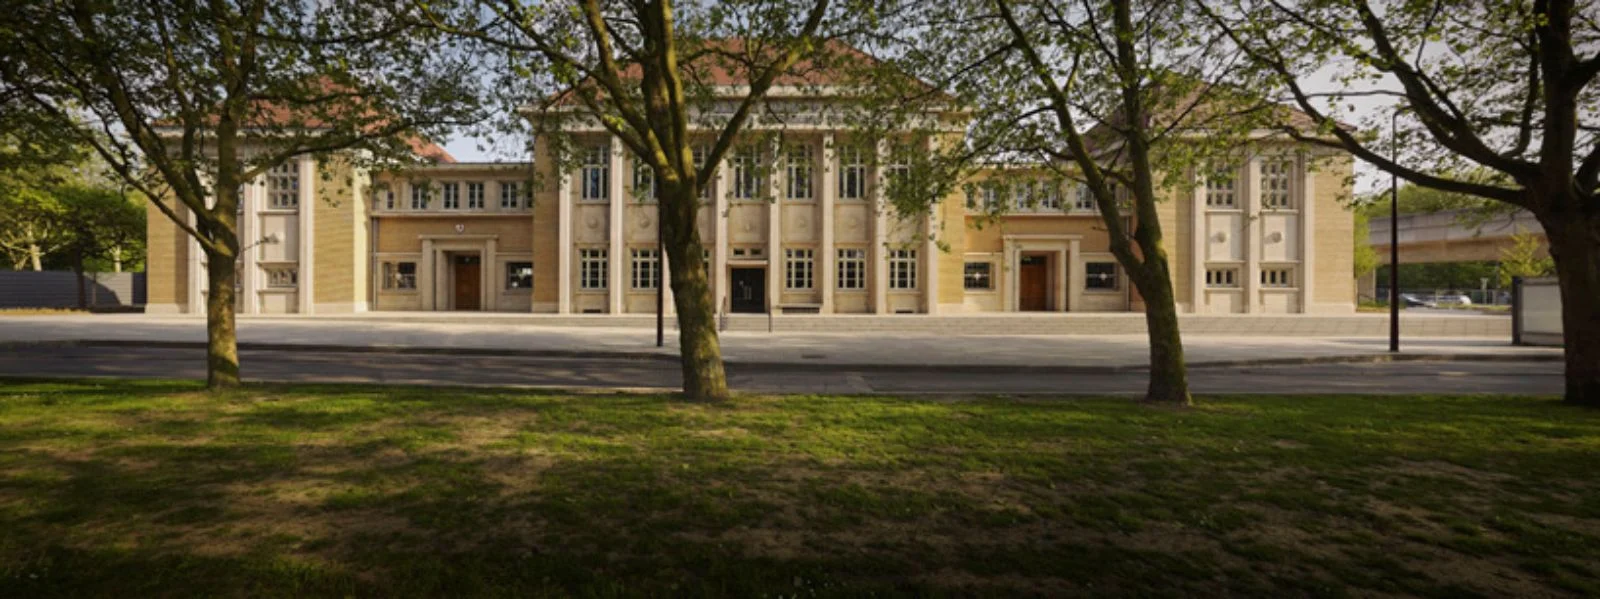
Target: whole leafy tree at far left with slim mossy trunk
(186,102)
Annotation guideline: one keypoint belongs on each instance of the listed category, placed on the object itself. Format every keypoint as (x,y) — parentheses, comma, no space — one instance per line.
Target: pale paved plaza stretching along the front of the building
(882,347)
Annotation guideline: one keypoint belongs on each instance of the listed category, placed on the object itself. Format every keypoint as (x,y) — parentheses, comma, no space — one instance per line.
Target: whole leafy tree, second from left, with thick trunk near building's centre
(657,78)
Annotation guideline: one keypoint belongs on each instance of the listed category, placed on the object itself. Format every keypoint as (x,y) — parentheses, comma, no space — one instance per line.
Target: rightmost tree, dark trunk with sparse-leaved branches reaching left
(1505,87)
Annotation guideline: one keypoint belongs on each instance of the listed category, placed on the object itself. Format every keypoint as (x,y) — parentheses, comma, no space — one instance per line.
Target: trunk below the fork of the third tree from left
(1169,371)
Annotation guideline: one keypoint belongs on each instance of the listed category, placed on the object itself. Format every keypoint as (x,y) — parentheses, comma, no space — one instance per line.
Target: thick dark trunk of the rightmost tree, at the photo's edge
(1575,246)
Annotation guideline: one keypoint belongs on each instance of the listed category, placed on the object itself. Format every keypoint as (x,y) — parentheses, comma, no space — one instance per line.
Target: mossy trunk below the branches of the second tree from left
(705,377)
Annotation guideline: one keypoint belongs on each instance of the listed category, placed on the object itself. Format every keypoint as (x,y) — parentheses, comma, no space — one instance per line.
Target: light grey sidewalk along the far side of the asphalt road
(788,348)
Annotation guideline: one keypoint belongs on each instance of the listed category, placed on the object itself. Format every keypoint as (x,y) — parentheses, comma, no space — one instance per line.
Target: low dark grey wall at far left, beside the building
(57,289)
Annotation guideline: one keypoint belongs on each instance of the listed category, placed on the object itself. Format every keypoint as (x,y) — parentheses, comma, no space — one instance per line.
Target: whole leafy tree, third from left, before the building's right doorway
(1111,95)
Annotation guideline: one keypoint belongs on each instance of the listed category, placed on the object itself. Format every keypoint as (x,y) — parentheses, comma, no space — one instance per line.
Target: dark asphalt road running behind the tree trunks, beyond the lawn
(646,374)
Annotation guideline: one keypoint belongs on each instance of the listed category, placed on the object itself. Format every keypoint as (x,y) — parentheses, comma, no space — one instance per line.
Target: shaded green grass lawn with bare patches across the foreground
(151,488)
